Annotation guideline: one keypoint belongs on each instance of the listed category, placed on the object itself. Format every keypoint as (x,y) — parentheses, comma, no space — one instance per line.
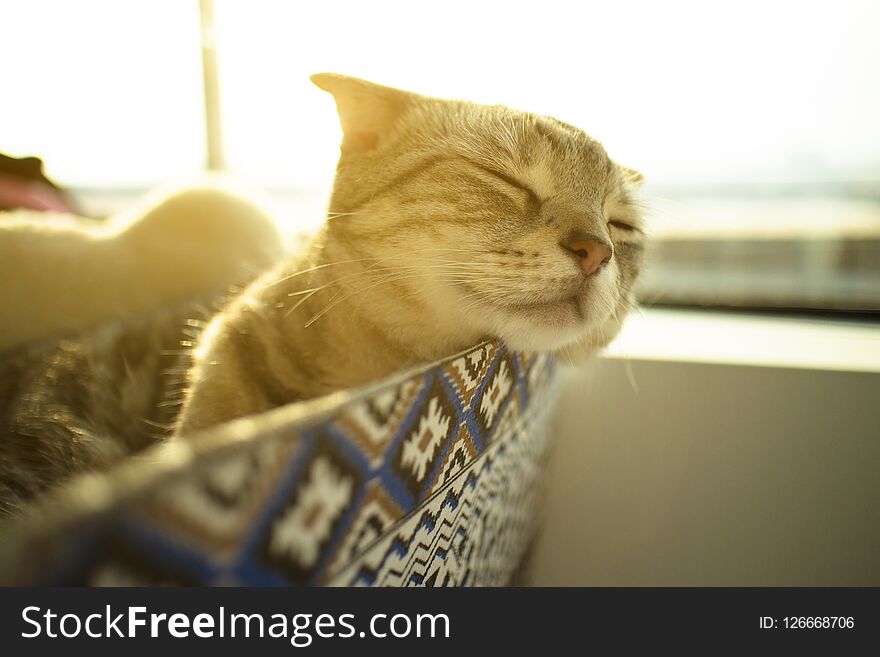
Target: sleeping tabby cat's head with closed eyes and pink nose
(507,223)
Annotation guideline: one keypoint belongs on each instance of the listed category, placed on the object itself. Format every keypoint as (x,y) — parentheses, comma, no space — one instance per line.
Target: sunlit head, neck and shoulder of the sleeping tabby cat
(449,223)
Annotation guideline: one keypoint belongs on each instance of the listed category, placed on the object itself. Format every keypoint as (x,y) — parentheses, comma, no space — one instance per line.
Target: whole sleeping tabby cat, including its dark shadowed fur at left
(449,223)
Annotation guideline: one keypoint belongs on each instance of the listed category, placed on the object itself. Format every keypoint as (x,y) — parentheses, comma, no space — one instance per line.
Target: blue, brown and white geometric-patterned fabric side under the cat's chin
(430,478)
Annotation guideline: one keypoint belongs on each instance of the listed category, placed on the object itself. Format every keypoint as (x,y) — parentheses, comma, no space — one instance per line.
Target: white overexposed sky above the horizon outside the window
(688,92)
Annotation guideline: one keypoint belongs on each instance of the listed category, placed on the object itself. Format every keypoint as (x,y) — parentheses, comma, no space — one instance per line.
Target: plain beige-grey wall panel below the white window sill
(711,474)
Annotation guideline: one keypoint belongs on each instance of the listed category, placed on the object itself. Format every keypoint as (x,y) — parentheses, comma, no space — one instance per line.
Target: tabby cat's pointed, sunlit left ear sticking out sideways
(366,110)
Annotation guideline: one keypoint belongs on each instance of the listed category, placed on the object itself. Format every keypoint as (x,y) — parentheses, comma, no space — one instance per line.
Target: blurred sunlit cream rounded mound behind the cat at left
(65,273)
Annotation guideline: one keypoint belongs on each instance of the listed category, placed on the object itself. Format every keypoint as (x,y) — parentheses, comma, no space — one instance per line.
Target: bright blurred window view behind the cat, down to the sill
(755,124)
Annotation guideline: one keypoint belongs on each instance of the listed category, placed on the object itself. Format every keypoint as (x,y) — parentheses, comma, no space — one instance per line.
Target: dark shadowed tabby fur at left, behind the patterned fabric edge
(85,401)
